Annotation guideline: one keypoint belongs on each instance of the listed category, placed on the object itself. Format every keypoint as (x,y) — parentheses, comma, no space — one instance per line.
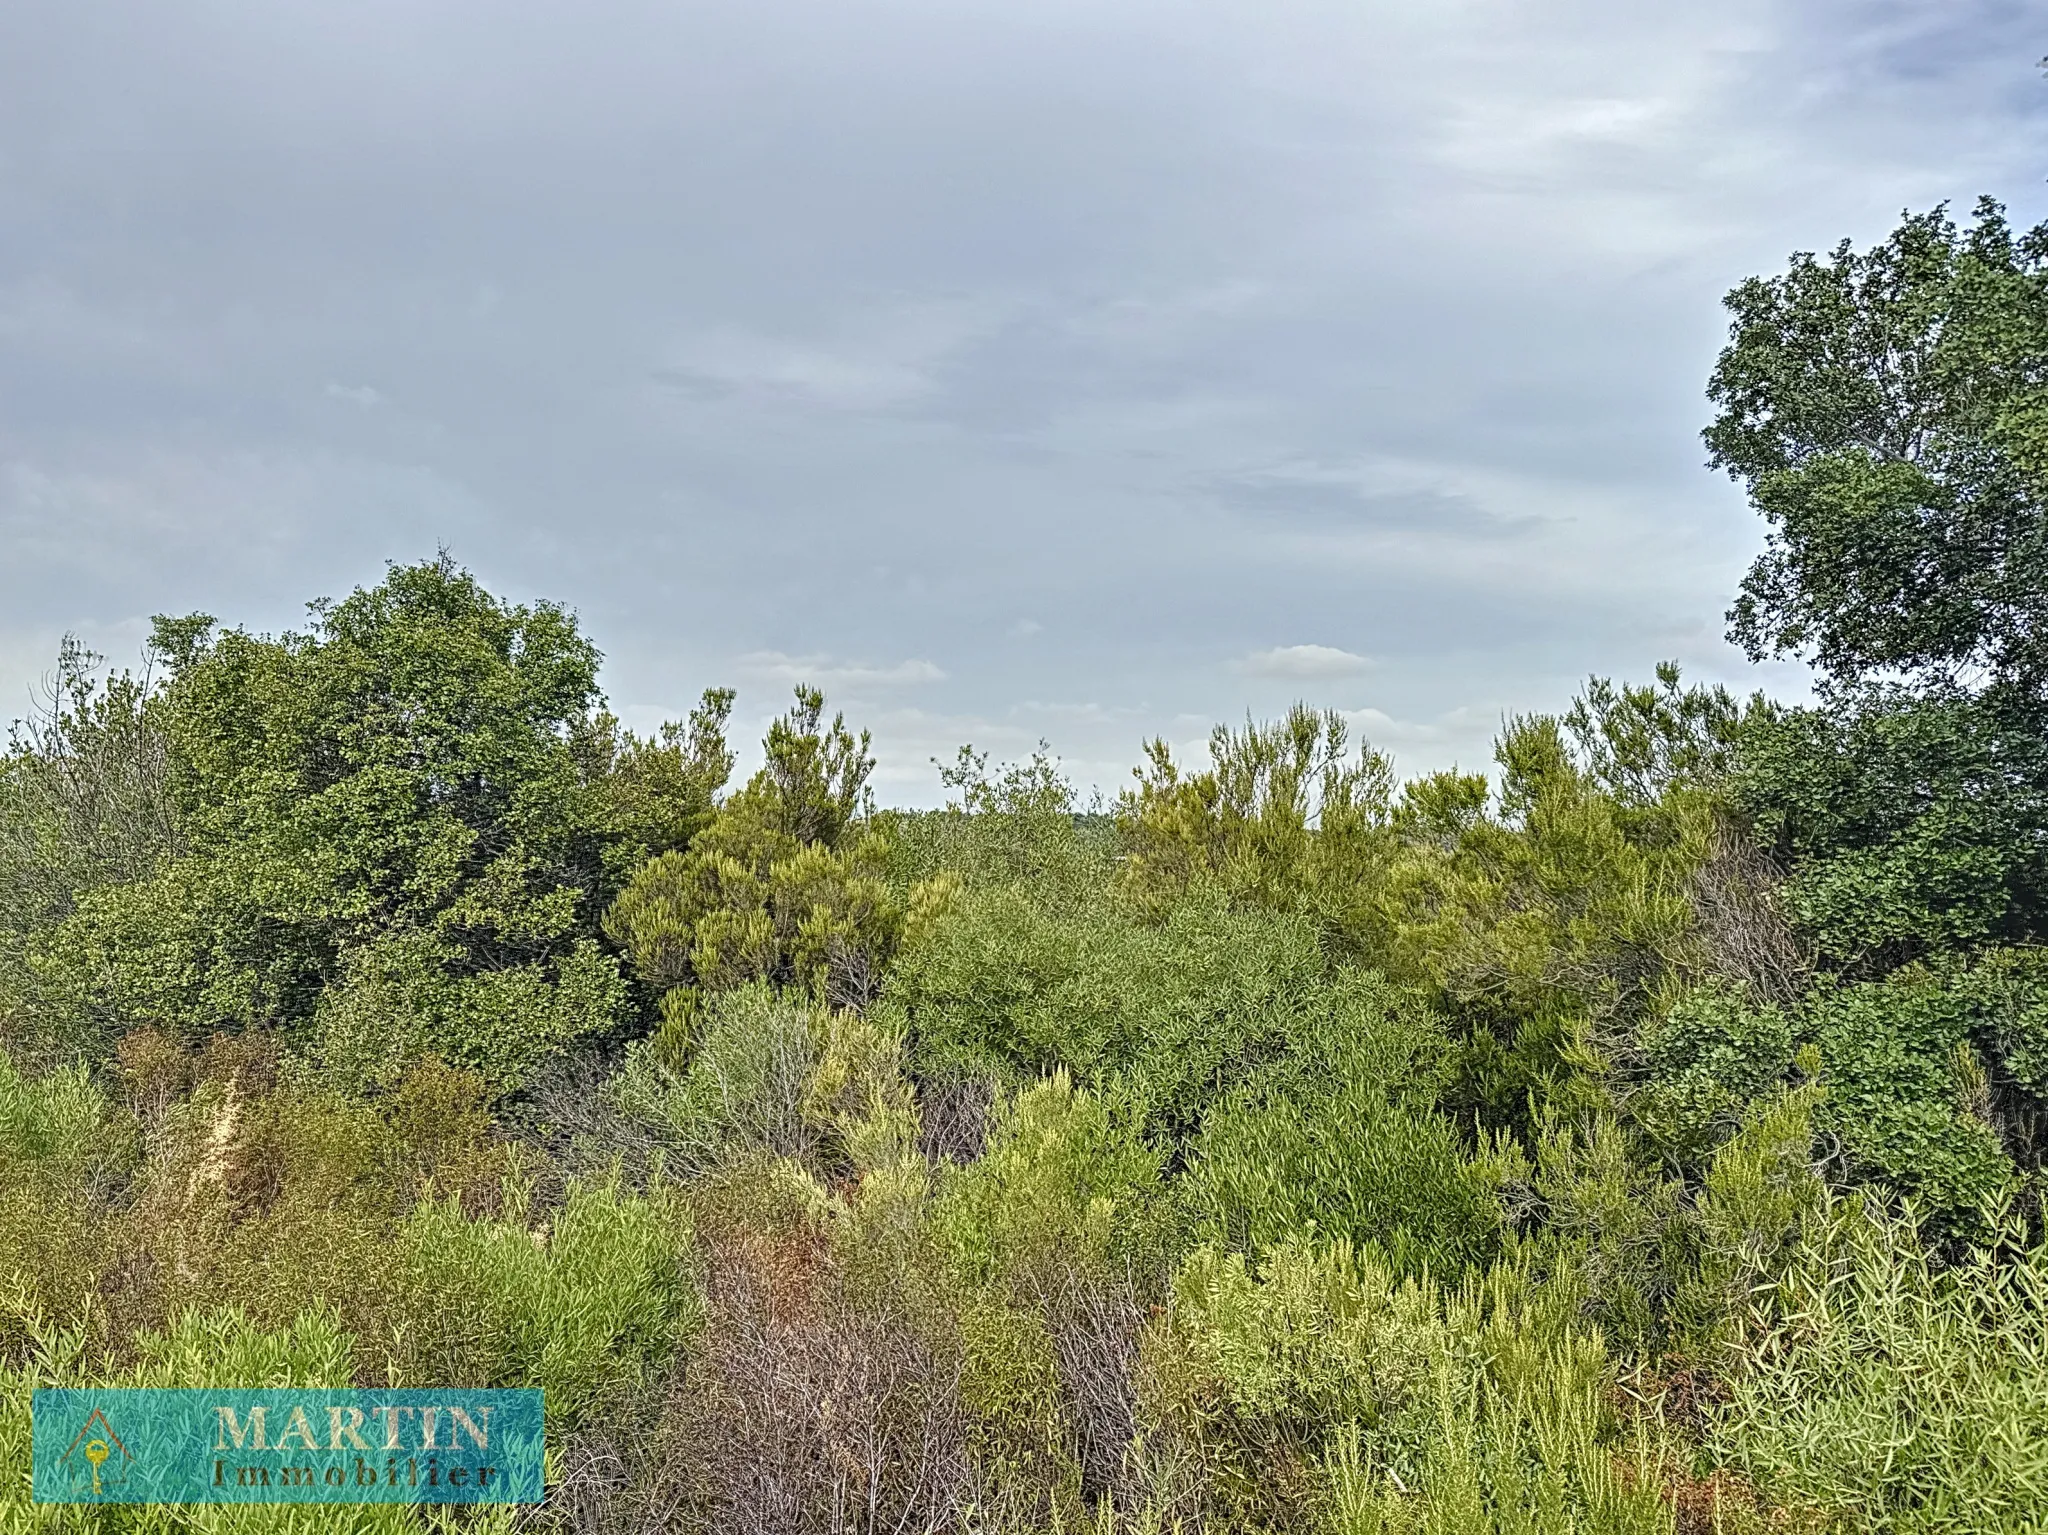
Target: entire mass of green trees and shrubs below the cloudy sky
(1641,1137)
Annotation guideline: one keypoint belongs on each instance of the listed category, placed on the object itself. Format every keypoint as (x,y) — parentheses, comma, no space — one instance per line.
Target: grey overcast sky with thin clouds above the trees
(1072,371)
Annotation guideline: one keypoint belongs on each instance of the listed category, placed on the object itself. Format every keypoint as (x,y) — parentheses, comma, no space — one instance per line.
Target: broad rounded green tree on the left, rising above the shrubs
(396,834)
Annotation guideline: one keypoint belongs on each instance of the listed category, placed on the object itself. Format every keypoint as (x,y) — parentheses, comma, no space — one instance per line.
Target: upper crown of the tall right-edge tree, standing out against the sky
(1889,414)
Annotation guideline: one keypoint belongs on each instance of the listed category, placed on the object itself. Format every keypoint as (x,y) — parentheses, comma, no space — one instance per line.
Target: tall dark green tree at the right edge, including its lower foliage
(1889,414)
